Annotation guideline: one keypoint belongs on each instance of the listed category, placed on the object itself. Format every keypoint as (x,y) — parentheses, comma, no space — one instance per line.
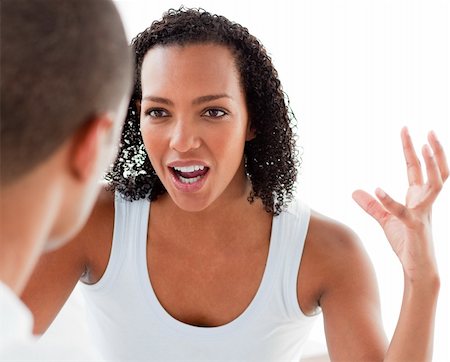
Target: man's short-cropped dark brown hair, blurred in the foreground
(62,63)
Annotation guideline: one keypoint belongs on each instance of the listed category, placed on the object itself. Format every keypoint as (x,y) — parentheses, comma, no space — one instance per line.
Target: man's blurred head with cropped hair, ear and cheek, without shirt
(66,73)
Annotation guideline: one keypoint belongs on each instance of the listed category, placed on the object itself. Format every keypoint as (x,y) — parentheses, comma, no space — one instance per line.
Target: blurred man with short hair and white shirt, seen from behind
(66,75)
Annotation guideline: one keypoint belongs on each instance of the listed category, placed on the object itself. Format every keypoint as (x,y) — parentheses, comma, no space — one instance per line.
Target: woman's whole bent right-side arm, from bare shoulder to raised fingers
(340,277)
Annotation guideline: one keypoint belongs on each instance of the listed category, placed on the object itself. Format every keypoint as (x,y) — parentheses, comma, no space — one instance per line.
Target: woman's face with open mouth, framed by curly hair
(194,122)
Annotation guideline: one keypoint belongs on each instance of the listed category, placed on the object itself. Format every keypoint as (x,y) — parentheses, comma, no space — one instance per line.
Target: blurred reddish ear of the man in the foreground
(87,146)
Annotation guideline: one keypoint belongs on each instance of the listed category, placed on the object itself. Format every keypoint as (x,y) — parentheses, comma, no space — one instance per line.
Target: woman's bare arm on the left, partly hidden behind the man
(58,272)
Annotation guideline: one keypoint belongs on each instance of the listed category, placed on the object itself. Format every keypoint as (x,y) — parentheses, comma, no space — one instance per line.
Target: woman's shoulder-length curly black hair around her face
(271,159)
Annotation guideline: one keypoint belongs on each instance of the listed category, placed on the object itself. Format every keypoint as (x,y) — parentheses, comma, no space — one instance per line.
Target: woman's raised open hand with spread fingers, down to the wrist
(408,227)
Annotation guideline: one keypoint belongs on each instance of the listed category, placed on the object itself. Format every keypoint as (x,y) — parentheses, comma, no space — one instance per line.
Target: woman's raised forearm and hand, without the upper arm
(408,229)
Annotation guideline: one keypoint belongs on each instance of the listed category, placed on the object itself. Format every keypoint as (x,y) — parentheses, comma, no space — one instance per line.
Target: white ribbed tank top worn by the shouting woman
(127,321)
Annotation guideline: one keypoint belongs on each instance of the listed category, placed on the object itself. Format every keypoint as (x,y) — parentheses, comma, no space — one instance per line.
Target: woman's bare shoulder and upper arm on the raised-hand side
(336,274)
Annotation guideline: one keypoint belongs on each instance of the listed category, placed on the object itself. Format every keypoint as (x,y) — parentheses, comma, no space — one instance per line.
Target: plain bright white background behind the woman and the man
(356,71)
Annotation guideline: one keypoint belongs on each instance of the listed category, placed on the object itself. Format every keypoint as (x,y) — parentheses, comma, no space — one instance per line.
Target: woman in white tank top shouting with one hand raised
(201,255)
